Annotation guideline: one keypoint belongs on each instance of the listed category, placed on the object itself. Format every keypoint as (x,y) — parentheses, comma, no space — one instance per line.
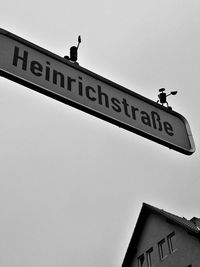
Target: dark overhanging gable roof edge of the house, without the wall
(192,226)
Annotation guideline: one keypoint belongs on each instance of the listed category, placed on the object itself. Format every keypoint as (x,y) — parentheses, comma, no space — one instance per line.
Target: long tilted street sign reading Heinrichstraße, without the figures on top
(56,77)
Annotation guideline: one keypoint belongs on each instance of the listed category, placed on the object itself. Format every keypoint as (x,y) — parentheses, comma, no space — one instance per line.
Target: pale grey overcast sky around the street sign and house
(72,185)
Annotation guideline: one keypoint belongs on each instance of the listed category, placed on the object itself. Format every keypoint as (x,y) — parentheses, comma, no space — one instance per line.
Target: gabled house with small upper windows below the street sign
(161,239)
